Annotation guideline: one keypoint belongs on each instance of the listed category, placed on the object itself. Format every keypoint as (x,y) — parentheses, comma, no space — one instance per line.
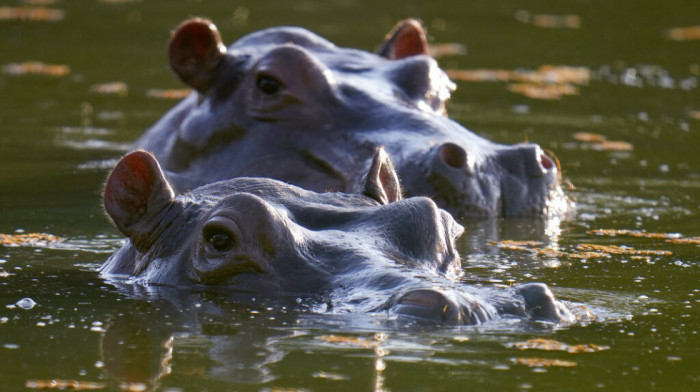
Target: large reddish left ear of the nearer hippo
(135,192)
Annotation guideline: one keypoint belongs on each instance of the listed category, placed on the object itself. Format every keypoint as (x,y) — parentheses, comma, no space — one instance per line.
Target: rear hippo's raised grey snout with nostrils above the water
(472,180)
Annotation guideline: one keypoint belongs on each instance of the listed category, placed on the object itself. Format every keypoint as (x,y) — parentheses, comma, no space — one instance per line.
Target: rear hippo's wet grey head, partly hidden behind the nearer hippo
(287,104)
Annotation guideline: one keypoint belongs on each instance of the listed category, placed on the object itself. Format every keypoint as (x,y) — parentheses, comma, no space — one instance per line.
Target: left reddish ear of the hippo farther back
(195,50)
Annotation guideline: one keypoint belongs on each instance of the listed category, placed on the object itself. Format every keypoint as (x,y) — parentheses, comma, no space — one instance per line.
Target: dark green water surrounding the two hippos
(59,135)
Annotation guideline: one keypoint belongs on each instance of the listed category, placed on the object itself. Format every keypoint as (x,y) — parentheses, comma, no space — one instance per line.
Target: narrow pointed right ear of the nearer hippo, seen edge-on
(382,182)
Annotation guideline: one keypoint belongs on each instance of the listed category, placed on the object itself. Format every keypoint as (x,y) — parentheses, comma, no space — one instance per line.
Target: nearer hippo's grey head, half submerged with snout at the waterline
(366,252)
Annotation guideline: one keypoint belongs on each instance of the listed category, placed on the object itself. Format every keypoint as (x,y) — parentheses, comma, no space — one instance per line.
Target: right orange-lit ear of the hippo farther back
(405,40)
